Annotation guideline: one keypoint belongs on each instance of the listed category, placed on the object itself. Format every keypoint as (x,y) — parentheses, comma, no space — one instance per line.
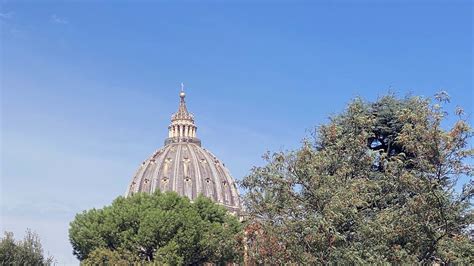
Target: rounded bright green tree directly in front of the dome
(163,227)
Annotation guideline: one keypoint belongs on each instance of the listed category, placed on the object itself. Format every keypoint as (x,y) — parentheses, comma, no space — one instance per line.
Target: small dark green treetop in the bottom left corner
(26,252)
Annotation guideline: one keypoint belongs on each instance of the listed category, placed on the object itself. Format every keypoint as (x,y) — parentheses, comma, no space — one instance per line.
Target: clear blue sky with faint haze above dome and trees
(87,89)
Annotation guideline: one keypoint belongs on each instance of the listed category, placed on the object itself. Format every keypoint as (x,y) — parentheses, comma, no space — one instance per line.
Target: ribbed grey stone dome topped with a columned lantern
(183,166)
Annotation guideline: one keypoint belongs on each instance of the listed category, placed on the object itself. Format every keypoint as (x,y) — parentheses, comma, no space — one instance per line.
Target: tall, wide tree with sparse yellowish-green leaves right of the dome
(376,184)
